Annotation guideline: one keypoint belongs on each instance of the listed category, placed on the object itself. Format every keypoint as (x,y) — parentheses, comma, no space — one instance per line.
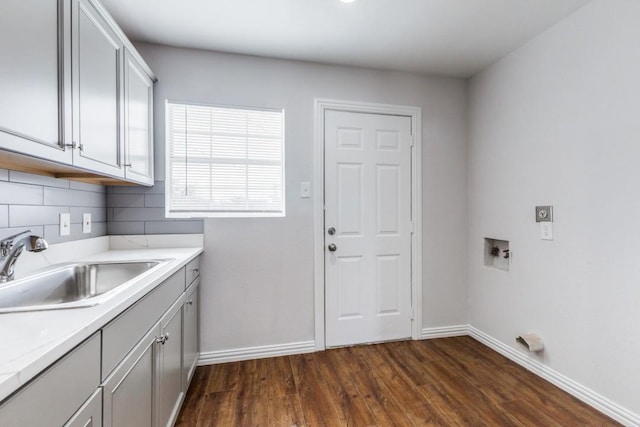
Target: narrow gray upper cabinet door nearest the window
(138,121)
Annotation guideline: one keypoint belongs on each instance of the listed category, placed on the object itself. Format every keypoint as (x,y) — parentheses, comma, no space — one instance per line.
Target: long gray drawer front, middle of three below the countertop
(126,330)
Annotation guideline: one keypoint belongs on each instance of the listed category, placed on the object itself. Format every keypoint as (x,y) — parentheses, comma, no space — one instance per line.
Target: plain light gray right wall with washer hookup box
(558,122)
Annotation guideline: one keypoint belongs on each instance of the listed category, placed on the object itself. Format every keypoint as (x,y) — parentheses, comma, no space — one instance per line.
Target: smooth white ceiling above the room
(447,37)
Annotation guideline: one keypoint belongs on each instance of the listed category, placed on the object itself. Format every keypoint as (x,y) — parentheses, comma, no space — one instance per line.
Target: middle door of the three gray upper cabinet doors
(97,105)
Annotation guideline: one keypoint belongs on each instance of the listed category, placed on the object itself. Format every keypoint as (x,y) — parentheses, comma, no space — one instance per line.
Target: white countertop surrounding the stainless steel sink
(31,341)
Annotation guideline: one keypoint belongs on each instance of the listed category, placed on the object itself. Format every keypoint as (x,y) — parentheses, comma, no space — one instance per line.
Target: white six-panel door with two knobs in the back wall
(367,228)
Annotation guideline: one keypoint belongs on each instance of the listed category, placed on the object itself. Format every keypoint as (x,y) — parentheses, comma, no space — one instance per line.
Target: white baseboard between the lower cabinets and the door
(248,353)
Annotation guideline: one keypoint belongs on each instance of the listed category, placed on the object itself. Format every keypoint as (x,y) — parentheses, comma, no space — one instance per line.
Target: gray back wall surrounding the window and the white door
(258,272)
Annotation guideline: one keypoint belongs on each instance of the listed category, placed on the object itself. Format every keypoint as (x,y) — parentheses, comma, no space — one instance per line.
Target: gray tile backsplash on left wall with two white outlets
(35,202)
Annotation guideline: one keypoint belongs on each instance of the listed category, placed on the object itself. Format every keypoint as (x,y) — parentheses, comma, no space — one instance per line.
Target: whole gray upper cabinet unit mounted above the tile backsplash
(71,95)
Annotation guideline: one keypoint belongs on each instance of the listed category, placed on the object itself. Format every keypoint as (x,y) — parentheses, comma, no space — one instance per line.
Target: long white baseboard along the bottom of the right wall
(581,392)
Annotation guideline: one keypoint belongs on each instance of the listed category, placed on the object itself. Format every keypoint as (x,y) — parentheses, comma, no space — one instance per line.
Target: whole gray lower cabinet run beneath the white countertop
(149,353)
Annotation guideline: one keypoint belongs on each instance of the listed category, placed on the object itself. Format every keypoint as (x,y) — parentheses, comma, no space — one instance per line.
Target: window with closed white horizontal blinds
(224,161)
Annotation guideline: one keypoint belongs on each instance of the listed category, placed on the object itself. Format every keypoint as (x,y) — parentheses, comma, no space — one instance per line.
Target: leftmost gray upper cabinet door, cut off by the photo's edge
(34,35)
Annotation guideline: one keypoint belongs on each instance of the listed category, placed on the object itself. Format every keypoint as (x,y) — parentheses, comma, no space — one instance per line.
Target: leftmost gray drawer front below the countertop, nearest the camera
(54,396)
